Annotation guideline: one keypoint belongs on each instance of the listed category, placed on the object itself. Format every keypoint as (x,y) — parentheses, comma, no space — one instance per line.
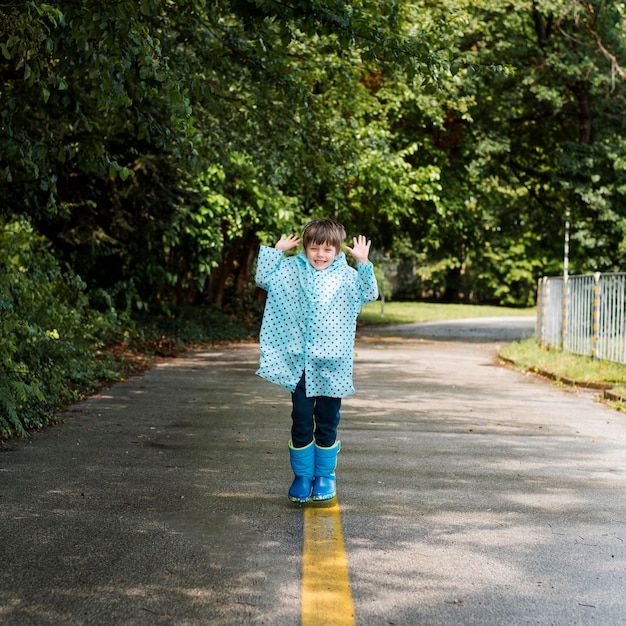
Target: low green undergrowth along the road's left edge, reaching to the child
(56,343)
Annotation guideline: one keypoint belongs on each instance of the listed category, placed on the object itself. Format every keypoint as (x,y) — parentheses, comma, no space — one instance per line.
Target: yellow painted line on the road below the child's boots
(326,593)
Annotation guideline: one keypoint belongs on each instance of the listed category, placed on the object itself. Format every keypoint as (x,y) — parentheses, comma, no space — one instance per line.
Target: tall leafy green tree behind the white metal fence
(526,131)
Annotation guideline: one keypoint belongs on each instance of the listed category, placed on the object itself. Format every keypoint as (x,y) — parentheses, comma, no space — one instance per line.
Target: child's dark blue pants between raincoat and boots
(317,416)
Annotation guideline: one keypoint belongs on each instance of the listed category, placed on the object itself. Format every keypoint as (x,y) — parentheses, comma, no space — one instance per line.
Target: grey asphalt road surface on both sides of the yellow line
(469,494)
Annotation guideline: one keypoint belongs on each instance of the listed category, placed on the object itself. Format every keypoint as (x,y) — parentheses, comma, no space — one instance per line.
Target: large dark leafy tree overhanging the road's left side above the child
(122,117)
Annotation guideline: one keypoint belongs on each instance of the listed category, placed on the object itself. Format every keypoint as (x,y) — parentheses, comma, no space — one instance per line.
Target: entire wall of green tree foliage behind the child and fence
(153,145)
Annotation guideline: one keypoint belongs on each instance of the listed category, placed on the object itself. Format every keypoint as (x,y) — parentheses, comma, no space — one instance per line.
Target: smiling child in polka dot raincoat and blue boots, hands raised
(307,342)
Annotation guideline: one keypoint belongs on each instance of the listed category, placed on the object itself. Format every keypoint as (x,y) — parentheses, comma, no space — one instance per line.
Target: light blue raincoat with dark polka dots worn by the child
(310,320)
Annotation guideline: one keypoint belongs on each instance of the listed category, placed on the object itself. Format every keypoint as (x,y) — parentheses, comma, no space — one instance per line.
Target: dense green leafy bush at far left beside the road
(49,338)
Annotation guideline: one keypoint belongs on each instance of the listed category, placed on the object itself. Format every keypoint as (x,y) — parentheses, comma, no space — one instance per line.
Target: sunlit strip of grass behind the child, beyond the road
(410,312)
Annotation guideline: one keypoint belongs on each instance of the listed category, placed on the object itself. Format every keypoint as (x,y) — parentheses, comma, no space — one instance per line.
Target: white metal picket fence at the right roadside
(584,315)
